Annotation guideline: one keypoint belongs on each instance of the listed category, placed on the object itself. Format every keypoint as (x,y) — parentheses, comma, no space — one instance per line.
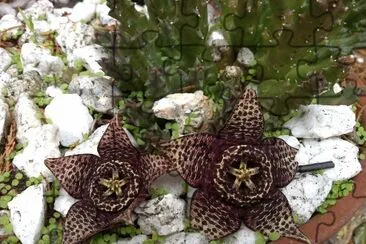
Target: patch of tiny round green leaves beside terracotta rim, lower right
(339,189)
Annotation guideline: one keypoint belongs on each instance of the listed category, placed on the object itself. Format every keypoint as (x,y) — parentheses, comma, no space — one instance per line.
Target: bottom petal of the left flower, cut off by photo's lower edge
(83,220)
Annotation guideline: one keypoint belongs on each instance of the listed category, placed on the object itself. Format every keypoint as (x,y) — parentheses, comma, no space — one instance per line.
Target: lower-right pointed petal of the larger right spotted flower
(273,215)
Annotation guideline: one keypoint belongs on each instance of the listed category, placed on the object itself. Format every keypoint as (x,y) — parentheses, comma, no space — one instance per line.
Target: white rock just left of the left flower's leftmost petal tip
(42,144)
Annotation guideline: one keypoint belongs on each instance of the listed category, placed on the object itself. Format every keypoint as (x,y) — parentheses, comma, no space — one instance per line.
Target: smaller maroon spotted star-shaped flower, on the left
(109,186)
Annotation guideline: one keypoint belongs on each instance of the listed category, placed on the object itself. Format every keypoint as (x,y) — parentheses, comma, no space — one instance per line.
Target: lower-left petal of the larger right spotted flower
(214,218)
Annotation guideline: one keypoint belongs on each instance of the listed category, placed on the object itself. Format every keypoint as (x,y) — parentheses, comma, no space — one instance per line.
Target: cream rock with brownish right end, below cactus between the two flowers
(180,106)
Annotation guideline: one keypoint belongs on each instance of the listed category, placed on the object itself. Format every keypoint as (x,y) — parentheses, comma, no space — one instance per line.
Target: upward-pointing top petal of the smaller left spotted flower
(115,144)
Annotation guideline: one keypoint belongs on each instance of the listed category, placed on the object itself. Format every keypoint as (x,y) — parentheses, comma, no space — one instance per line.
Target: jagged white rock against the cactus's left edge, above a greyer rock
(89,55)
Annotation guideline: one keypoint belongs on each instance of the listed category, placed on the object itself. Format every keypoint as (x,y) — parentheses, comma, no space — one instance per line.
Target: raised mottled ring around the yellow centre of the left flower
(130,190)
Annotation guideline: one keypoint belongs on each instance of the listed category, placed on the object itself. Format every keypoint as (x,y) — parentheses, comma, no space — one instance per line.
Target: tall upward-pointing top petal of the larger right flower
(246,121)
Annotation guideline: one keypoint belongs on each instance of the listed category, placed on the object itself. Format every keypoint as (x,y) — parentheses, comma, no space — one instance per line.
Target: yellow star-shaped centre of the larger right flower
(243,175)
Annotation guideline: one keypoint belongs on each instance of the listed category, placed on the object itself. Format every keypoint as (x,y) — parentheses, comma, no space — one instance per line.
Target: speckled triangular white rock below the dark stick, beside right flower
(305,193)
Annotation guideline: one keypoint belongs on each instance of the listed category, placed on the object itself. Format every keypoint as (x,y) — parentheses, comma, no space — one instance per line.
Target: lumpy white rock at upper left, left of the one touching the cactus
(41,60)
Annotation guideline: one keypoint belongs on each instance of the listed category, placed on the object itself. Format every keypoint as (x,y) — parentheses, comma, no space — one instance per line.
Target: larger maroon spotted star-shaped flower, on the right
(237,174)
